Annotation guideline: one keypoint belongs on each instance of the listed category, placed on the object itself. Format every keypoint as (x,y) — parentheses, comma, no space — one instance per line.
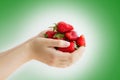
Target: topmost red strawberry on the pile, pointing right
(63,27)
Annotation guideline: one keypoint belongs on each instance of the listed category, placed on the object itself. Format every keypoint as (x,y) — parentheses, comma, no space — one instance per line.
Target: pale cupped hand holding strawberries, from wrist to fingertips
(42,49)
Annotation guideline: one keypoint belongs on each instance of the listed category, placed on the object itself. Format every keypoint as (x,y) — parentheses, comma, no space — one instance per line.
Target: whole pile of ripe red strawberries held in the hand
(64,31)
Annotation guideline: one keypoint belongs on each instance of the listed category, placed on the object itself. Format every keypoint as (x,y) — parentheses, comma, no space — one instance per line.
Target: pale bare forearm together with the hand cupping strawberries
(37,48)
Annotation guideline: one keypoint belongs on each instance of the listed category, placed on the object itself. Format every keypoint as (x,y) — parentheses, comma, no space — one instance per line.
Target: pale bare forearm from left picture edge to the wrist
(12,59)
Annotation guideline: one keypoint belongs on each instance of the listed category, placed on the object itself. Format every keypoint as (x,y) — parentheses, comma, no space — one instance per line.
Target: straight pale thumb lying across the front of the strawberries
(53,42)
